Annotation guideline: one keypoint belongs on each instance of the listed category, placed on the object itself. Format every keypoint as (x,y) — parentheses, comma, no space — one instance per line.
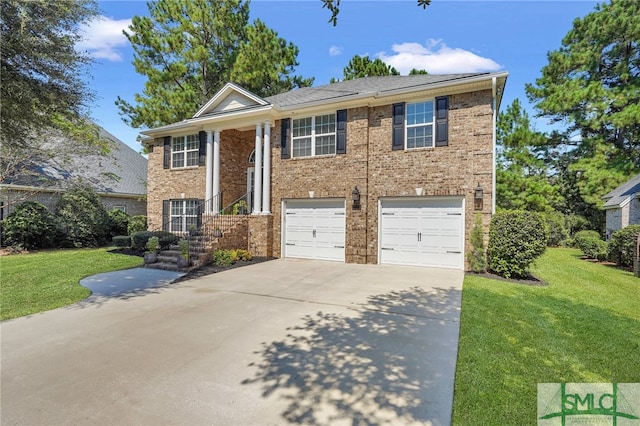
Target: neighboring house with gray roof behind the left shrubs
(118,177)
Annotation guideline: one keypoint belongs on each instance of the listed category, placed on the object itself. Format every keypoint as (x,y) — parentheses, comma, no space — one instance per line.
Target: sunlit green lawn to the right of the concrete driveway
(584,327)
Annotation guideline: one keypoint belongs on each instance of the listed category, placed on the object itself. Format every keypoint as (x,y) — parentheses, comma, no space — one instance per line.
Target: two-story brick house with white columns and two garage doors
(384,170)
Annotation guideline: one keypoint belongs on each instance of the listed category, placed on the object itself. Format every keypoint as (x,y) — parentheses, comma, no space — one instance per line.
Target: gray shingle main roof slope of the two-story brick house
(365,85)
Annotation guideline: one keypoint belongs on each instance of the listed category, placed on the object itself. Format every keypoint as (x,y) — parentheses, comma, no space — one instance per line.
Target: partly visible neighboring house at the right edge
(622,206)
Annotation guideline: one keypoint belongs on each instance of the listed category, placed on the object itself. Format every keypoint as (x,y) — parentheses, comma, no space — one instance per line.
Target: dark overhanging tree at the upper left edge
(41,71)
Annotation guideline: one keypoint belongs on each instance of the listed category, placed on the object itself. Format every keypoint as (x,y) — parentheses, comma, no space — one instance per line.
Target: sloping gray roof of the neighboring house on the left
(121,171)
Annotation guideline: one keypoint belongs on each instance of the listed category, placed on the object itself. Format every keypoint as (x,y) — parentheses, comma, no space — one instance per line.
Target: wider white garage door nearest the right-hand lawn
(422,232)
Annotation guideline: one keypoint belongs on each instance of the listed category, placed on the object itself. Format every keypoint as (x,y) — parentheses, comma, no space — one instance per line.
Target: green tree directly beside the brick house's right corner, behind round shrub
(523,172)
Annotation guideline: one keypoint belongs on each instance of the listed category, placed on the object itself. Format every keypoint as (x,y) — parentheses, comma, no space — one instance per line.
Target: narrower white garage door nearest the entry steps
(314,229)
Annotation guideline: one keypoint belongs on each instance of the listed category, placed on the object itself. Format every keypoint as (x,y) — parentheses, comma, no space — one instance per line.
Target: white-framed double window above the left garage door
(313,136)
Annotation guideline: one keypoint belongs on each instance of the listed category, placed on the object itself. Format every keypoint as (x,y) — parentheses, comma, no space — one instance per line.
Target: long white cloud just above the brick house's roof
(436,58)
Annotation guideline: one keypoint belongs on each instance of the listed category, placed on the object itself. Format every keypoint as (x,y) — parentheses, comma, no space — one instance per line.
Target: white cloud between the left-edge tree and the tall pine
(103,37)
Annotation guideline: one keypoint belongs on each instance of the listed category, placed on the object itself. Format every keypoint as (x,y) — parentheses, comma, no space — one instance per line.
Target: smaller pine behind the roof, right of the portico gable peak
(266,62)
